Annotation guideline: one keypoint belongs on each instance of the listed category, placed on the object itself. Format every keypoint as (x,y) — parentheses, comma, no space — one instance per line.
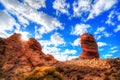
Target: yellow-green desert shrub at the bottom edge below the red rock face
(42,73)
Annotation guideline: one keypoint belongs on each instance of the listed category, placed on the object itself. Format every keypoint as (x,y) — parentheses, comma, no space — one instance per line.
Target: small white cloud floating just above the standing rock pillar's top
(80,29)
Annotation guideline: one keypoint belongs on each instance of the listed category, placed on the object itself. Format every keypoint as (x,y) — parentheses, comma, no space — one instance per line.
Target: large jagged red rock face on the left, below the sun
(18,56)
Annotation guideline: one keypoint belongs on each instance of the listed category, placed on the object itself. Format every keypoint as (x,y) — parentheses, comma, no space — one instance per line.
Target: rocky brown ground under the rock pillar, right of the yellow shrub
(94,69)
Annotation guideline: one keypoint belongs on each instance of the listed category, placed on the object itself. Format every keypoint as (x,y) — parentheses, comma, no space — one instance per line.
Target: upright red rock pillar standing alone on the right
(89,47)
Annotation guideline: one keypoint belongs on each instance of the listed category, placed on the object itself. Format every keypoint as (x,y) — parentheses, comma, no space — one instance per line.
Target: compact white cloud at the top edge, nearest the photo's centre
(61,6)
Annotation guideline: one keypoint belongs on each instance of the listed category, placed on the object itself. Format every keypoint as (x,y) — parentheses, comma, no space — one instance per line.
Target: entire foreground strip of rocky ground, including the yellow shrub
(76,69)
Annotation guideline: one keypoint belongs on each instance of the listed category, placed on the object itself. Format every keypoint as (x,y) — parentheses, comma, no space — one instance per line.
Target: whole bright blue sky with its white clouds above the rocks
(58,24)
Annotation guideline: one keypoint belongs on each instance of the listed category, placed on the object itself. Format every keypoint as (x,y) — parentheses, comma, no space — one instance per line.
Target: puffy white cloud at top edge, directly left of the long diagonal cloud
(81,6)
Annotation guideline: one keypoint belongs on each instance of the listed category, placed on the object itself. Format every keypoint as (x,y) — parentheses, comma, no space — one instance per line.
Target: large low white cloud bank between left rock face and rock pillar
(52,47)
